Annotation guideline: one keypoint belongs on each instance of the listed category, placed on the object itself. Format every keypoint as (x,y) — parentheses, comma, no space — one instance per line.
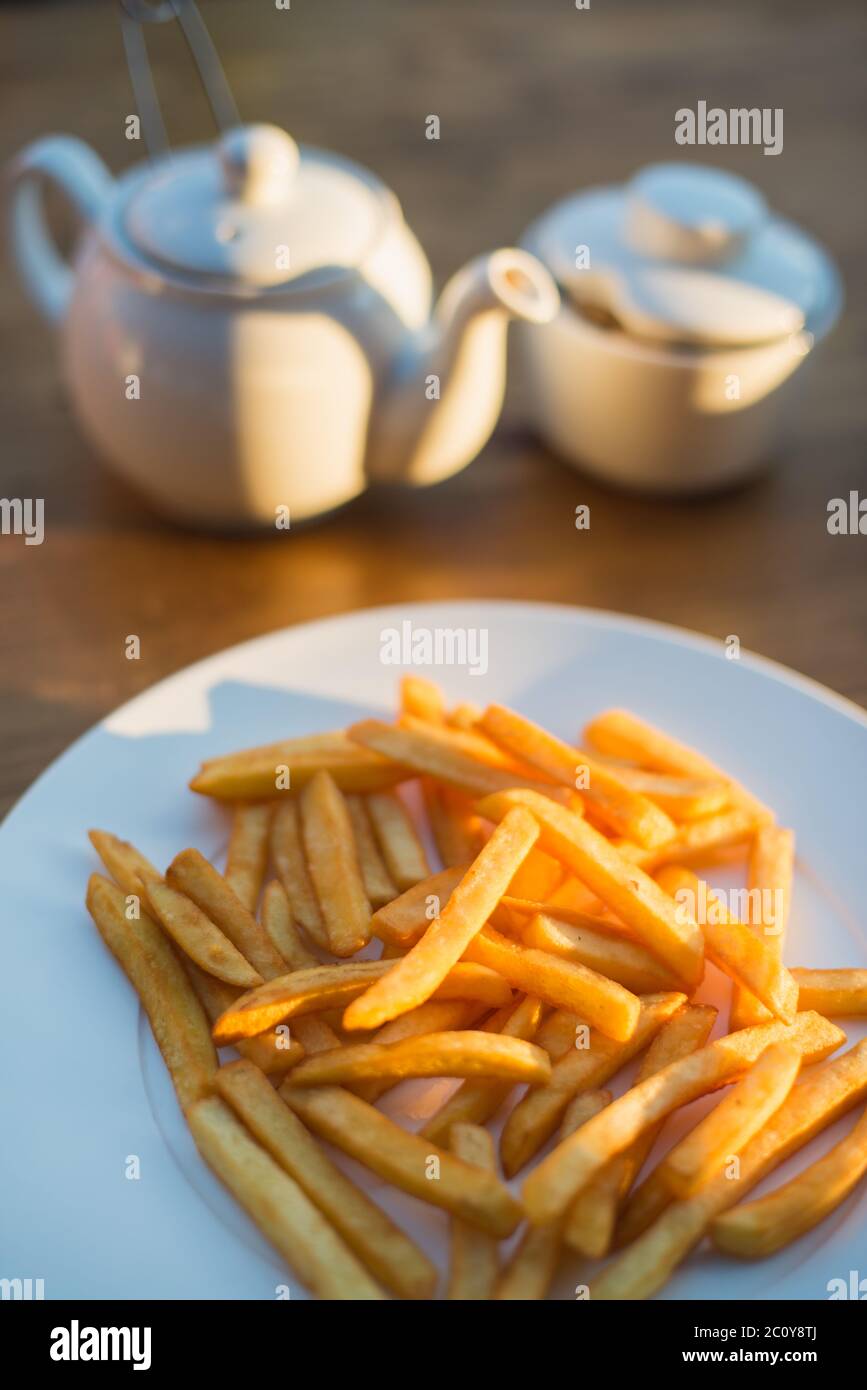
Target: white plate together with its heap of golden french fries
(533,976)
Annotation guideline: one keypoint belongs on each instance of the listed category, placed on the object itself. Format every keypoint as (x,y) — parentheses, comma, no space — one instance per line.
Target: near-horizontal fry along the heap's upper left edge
(263,774)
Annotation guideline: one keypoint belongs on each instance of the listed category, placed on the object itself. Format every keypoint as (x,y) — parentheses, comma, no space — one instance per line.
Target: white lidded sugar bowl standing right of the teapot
(687,309)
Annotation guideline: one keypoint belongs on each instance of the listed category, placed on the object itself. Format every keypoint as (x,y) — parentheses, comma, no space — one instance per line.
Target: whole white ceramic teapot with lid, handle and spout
(247,326)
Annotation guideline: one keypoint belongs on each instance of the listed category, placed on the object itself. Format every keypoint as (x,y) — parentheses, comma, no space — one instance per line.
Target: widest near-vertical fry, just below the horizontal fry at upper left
(334,868)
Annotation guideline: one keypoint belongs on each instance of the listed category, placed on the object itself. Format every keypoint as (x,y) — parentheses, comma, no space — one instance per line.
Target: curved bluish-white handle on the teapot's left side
(87,183)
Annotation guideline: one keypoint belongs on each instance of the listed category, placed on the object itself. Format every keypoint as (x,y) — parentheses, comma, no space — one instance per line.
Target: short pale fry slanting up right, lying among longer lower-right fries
(733,1124)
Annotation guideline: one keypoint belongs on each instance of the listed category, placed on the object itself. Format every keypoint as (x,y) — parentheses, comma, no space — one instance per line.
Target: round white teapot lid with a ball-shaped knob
(255,209)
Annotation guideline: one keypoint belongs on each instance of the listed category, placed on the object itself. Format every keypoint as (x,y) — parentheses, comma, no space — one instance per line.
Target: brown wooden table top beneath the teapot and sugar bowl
(534,99)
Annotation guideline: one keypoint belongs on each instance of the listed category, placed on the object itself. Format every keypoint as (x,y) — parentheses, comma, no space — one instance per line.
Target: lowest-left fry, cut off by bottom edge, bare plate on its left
(281,1210)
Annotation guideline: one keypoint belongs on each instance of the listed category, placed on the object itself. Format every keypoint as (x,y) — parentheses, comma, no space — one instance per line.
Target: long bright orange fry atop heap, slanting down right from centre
(630,893)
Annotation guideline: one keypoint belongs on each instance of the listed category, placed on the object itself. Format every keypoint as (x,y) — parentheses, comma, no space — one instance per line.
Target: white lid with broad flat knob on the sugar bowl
(686,252)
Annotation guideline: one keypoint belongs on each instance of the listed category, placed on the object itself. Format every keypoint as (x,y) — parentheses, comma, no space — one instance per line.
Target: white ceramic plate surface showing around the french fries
(84,1086)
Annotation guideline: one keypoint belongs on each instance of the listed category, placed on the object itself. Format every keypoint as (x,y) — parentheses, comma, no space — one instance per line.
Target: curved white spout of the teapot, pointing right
(444,395)
